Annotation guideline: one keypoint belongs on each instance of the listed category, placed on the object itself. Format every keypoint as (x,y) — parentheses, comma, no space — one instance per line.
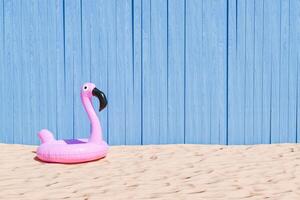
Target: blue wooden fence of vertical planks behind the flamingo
(174,71)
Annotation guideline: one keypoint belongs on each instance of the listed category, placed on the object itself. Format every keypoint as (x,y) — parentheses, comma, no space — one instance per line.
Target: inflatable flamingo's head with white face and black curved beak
(89,90)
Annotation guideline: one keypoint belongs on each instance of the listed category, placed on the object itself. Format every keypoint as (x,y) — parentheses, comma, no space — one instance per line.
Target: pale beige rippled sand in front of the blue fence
(157,172)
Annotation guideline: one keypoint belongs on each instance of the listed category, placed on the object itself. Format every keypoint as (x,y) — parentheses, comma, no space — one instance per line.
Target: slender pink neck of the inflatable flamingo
(96,130)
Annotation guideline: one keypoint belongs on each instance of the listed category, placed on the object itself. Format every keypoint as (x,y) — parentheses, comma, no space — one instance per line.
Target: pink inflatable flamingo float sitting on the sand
(77,150)
